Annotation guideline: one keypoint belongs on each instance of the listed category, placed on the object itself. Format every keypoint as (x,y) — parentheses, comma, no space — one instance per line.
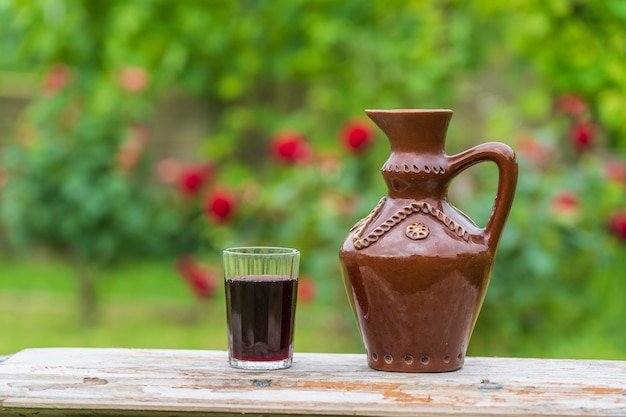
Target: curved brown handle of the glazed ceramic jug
(504,157)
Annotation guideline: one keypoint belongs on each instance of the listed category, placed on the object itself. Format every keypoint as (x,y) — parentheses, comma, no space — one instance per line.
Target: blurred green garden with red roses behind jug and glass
(138,138)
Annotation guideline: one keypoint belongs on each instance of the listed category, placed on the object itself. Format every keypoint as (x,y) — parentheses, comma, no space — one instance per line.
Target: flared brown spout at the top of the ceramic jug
(413,131)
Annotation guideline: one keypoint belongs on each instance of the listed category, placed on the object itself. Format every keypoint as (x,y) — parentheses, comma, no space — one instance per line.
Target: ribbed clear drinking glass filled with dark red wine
(261,285)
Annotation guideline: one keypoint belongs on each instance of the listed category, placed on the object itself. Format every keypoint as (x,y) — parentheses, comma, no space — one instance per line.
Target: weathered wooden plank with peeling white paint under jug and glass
(136,382)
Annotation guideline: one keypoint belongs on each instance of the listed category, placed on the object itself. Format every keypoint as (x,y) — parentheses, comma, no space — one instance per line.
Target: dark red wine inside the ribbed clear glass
(261,315)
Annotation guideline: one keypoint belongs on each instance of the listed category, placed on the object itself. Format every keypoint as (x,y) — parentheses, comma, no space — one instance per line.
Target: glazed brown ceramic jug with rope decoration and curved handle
(416,269)
